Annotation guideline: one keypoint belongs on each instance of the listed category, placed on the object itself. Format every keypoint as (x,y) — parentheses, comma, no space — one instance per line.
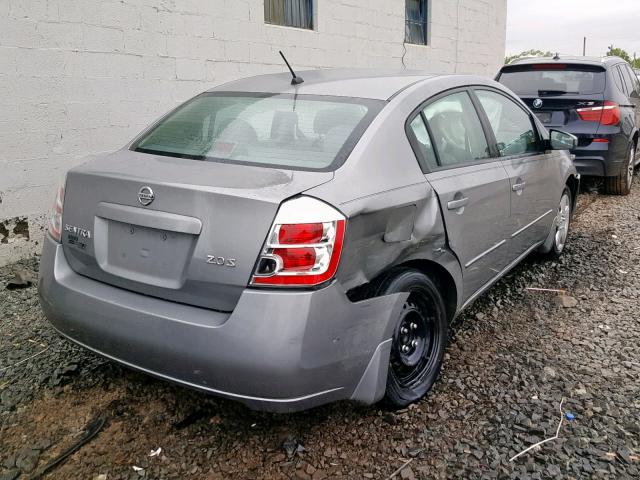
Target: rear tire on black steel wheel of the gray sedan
(419,337)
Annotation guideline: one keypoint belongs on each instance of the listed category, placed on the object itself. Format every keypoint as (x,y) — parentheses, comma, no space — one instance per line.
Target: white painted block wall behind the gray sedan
(84,76)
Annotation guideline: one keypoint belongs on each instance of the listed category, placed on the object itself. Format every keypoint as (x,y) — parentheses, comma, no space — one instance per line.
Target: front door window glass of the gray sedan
(511,125)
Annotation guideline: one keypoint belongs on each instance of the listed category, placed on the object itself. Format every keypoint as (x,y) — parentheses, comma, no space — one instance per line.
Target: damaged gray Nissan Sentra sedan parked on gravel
(288,244)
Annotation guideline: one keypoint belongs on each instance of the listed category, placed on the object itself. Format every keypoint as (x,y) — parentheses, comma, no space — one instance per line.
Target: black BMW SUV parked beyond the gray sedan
(596,99)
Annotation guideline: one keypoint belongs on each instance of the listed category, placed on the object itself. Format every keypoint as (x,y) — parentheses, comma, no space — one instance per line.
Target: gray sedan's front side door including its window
(535,176)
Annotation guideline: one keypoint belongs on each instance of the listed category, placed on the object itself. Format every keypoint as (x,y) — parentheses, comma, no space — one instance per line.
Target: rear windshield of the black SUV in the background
(554,79)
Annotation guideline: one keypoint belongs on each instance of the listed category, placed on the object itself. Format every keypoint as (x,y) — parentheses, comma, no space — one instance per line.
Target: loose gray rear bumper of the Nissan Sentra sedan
(277,351)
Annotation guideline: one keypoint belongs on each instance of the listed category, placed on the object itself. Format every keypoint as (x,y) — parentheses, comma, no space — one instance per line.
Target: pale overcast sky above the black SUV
(560,25)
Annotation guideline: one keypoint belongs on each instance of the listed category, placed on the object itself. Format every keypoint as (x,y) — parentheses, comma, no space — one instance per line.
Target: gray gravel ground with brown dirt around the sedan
(512,358)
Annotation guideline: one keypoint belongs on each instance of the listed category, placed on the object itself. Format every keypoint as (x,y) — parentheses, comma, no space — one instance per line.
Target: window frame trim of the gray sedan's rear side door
(413,141)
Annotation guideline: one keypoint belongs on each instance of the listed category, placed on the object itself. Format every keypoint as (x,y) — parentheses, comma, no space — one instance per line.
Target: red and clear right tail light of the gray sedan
(303,246)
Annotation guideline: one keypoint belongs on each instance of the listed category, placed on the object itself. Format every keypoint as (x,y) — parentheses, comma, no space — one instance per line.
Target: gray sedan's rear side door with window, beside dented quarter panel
(472,185)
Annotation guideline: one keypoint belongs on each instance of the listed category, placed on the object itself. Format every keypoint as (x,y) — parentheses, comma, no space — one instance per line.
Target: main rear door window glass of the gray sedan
(456,130)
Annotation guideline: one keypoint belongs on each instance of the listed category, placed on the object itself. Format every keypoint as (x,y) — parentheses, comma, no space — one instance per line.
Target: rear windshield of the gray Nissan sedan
(295,132)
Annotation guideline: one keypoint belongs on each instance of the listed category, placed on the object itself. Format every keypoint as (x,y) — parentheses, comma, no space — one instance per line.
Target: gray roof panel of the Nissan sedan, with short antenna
(353,82)
